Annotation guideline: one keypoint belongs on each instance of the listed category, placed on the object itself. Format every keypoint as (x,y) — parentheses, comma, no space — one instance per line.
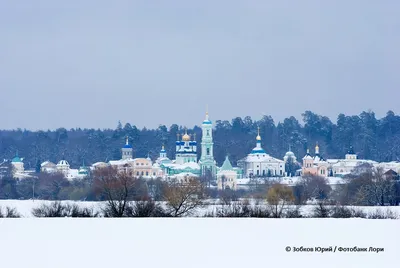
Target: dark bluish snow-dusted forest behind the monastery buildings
(371,138)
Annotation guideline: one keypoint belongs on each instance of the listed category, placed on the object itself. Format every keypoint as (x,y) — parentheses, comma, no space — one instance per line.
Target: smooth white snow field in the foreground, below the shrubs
(195,242)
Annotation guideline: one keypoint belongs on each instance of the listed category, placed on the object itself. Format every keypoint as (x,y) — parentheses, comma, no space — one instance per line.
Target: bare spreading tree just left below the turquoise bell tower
(183,198)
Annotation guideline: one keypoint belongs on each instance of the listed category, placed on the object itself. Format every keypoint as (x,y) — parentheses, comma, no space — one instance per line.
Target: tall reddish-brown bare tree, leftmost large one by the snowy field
(117,187)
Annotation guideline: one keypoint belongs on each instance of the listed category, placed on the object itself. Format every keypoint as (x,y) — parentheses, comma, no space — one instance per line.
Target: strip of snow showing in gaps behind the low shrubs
(24,207)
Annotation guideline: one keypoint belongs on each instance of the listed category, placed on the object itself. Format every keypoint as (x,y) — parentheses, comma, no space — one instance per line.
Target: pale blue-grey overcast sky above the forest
(91,63)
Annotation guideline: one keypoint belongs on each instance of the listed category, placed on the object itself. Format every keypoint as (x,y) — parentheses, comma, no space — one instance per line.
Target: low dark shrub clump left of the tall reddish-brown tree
(57,209)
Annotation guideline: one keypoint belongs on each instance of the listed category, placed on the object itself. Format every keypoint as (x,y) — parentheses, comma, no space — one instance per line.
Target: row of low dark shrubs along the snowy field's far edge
(239,209)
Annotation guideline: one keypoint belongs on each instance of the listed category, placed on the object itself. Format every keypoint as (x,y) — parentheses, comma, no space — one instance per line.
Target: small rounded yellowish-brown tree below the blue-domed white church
(279,197)
